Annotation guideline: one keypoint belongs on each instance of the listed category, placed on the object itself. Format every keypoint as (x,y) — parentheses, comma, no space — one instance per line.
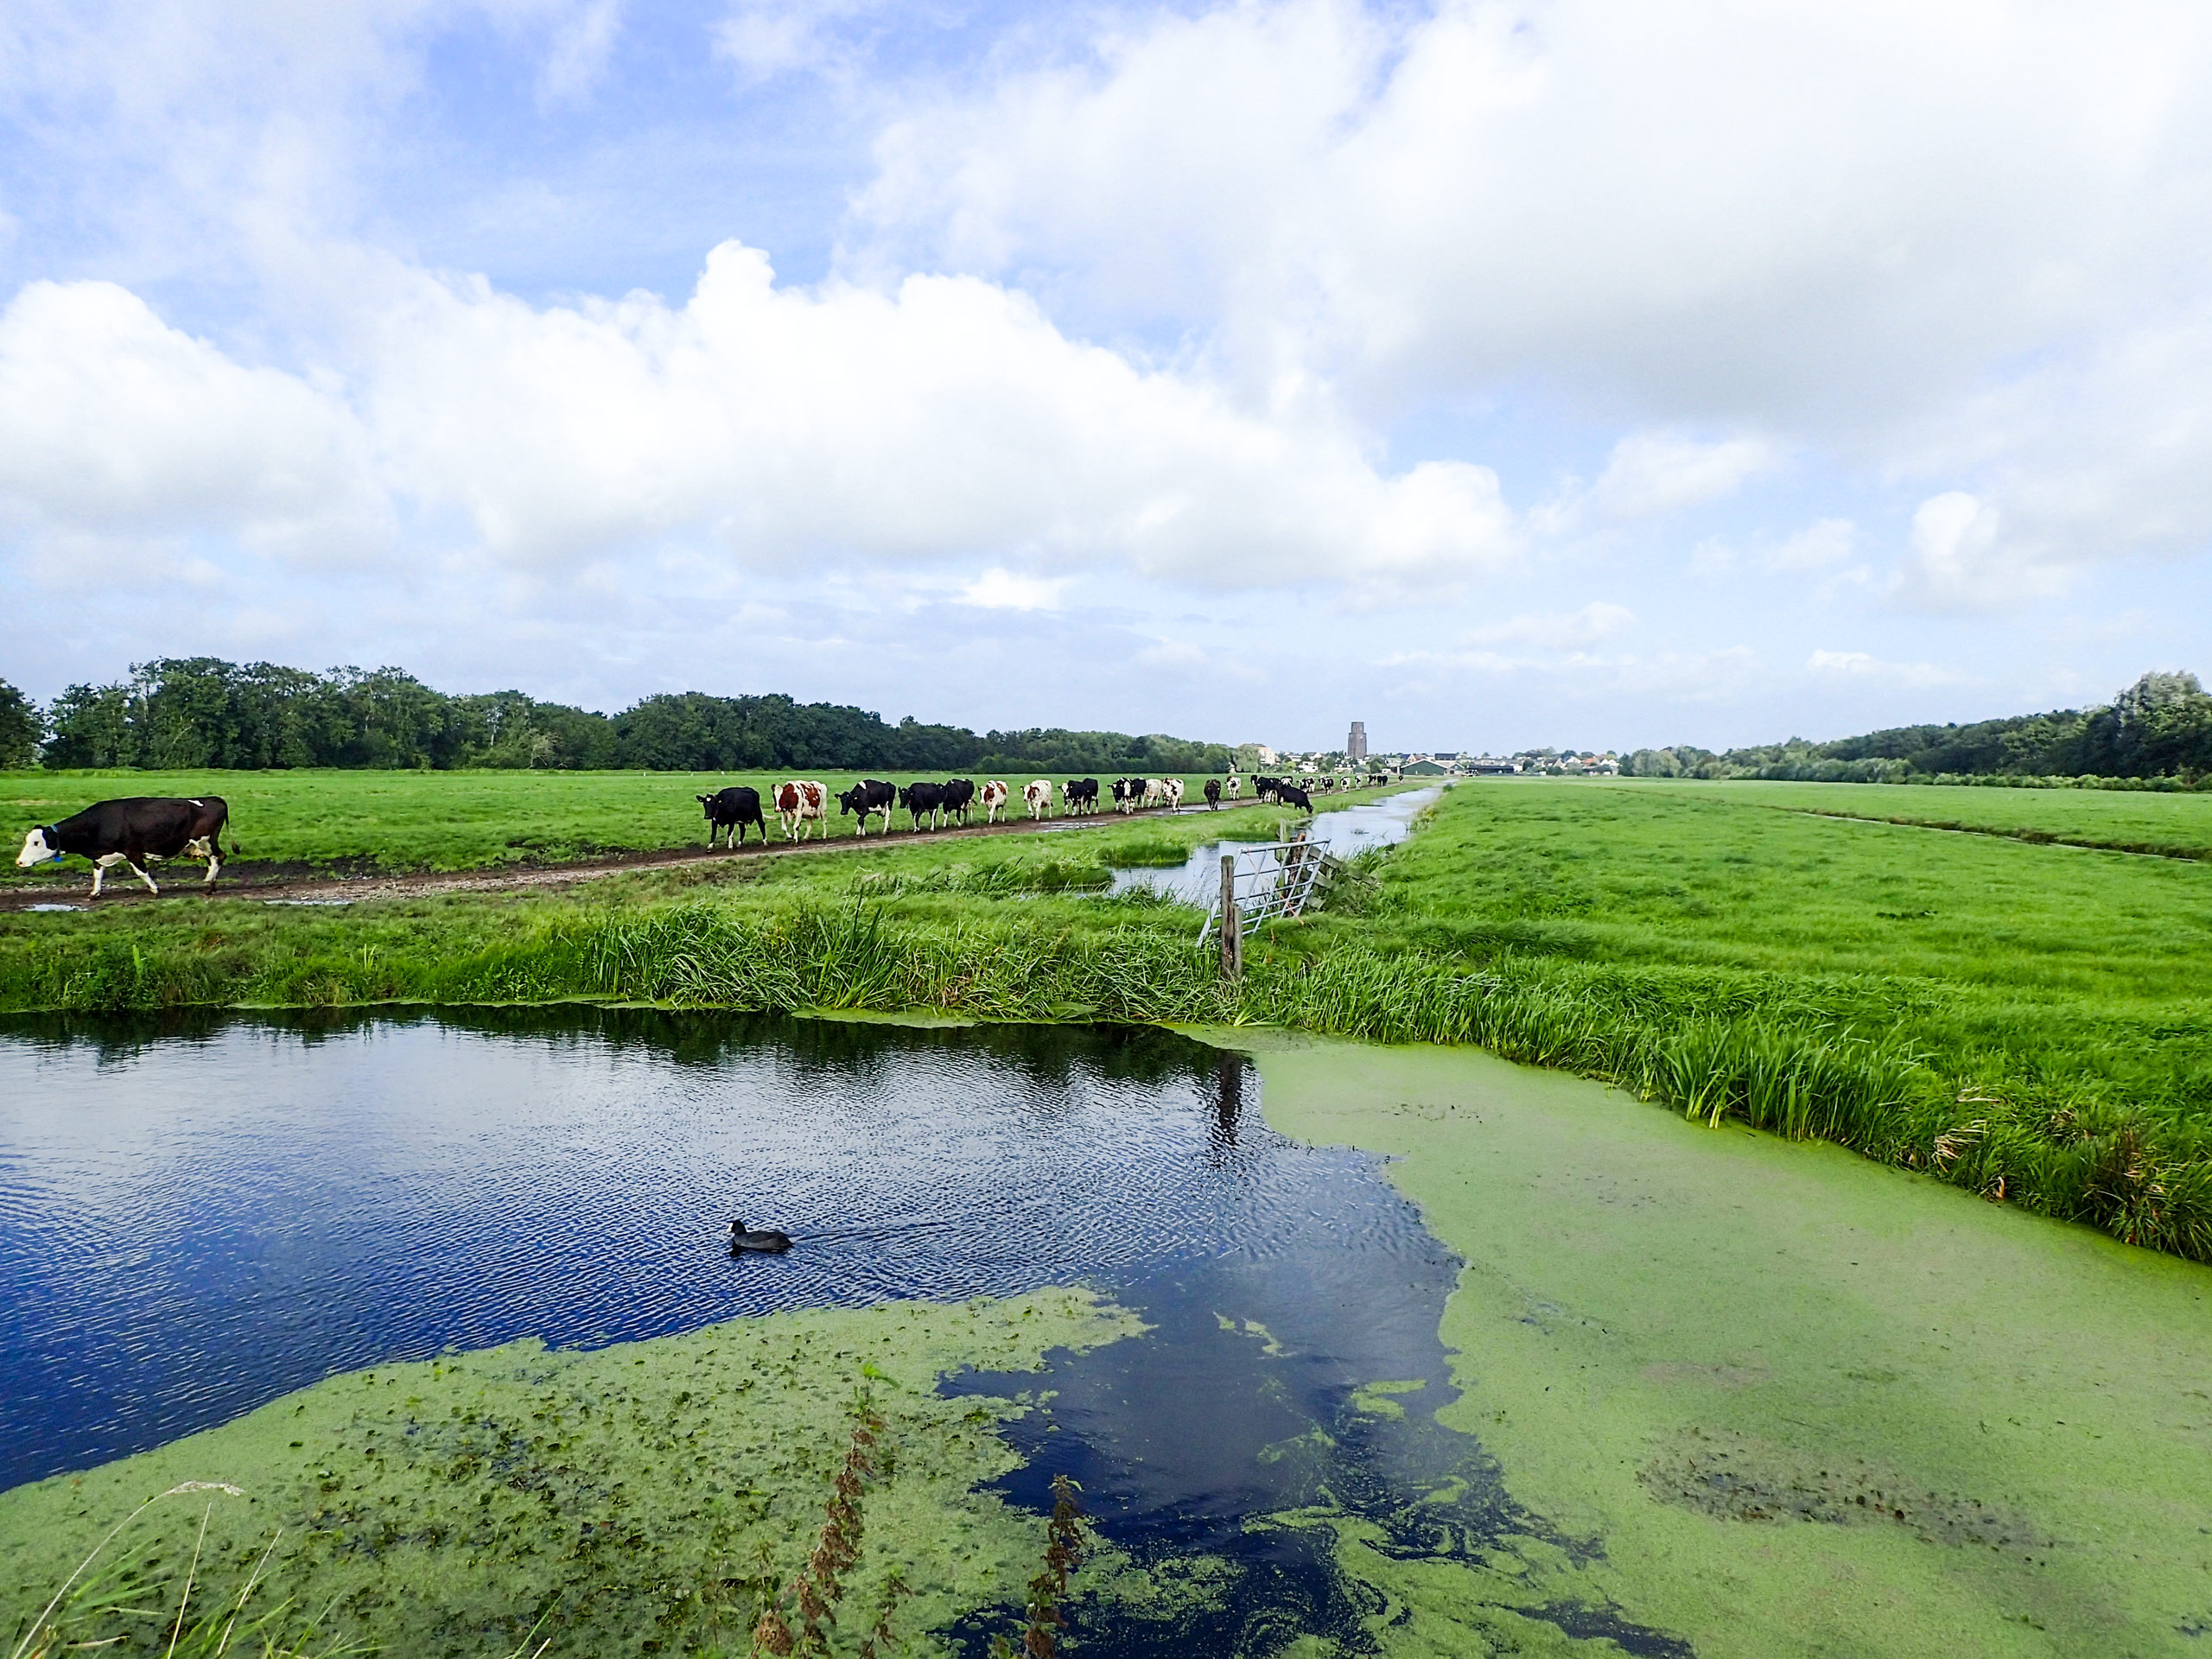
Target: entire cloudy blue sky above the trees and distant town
(1499,375)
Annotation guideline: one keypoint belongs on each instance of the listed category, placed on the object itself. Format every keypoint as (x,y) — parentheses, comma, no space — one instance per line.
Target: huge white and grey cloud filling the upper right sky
(1939,244)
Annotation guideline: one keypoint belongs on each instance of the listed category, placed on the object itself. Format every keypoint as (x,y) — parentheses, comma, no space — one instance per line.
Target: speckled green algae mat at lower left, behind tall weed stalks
(636,1499)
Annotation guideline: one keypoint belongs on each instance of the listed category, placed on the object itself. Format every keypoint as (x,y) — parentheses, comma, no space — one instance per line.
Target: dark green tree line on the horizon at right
(2158,729)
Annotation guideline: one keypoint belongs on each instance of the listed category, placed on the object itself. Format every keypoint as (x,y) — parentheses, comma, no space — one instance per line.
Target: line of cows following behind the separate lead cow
(804,804)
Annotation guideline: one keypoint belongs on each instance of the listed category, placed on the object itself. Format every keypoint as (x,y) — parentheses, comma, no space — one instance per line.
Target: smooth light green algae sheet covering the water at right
(1766,1397)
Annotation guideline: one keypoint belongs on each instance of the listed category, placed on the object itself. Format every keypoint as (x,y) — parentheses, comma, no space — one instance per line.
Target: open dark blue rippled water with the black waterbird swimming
(202,1220)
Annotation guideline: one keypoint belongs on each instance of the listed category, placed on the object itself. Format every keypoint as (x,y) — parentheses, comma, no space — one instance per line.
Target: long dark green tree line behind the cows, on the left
(191,713)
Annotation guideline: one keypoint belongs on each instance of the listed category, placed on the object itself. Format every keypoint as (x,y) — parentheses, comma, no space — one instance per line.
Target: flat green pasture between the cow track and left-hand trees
(410,822)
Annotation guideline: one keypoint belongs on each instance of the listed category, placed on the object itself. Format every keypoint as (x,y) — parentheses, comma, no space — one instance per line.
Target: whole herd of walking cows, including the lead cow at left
(143,831)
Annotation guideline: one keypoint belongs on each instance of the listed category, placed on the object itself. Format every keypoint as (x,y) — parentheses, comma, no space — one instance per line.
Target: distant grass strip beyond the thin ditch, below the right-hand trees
(2178,826)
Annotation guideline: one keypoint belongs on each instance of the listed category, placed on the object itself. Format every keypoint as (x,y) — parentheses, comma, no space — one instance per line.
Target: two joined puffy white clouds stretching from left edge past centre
(782,426)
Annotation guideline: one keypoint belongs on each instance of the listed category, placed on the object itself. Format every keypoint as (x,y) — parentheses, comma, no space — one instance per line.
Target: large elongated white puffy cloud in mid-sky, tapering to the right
(842,424)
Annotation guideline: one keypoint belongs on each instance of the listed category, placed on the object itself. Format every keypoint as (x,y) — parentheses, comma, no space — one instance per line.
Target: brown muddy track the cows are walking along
(295,888)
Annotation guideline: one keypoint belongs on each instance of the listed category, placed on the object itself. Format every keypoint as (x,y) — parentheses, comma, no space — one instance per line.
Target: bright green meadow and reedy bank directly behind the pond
(2012,1016)
